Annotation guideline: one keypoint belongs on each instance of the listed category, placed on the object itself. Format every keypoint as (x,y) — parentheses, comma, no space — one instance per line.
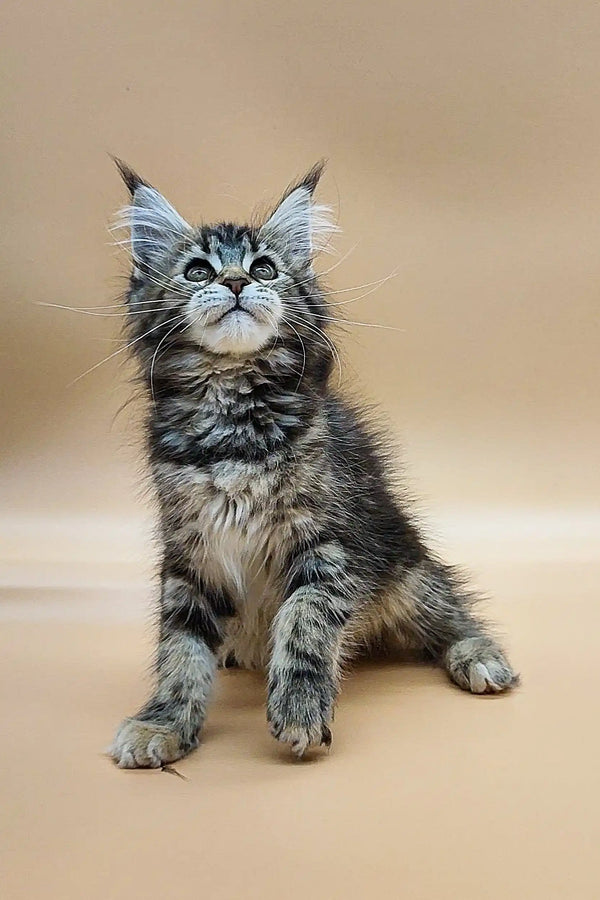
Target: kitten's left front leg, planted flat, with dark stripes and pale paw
(191,630)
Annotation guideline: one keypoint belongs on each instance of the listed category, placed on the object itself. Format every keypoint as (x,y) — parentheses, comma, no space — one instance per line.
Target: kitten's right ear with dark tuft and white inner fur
(299,228)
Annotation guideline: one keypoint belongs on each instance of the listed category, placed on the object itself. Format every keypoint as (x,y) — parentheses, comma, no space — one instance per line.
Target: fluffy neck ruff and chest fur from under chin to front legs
(238,466)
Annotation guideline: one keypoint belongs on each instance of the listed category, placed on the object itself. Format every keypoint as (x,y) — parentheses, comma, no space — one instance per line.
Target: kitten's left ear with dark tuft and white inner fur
(154,225)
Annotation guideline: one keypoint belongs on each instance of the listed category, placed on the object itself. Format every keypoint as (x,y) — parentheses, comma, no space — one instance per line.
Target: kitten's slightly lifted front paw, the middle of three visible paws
(299,715)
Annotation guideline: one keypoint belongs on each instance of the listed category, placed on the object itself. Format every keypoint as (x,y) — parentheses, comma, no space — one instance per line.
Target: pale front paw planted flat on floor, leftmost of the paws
(139,744)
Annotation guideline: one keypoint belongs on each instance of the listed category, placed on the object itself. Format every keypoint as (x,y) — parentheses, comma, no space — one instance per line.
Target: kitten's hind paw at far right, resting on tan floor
(478,665)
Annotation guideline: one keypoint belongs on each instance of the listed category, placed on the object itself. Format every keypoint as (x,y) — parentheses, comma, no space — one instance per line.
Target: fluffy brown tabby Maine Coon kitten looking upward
(285,547)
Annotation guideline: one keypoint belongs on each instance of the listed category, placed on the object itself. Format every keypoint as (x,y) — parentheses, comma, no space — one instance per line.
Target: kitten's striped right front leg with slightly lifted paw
(306,638)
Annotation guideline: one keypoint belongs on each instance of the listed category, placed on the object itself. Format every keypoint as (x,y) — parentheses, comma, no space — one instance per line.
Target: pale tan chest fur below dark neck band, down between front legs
(237,522)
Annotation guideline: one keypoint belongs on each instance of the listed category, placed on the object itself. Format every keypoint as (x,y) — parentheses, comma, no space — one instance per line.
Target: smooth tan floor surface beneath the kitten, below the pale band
(427,792)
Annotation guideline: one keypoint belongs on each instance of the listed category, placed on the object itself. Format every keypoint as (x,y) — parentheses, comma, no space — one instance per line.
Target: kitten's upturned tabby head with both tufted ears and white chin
(234,290)
